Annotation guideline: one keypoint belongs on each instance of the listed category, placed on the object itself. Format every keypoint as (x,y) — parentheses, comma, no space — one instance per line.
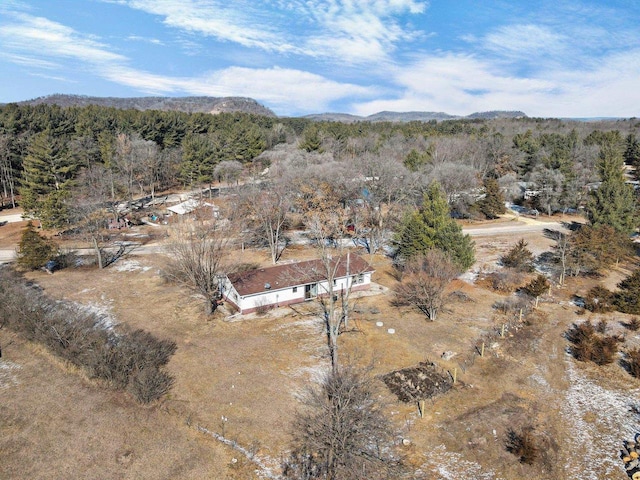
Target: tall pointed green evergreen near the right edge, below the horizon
(613,203)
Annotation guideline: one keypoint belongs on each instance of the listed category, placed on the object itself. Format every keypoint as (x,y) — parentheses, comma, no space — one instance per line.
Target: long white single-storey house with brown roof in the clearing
(282,285)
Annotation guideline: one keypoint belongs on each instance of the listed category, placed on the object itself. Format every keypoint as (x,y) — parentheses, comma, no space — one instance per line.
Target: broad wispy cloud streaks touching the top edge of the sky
(344,30)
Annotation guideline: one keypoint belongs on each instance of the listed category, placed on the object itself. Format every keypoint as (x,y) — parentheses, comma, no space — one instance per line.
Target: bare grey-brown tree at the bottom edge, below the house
(343,433)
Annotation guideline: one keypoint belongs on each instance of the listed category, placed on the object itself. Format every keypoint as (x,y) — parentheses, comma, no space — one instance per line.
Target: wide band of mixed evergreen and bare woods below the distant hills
(55,157)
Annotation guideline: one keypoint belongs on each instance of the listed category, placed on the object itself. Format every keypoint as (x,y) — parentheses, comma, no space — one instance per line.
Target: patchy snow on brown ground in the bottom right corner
(599,420)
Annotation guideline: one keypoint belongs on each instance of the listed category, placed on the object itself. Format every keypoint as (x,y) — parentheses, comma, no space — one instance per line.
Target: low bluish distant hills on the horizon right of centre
(411,116)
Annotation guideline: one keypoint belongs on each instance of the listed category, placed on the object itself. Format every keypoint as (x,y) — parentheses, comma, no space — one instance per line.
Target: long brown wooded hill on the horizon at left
(181,104)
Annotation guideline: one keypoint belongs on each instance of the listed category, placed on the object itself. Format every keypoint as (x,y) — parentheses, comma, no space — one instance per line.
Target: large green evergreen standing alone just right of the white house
(432,227)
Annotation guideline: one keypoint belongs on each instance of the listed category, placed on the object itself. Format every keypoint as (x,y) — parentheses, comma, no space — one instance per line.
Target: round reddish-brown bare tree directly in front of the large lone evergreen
(425,278)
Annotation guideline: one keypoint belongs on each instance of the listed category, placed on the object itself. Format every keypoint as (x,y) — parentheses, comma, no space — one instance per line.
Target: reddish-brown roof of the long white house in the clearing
(278,277)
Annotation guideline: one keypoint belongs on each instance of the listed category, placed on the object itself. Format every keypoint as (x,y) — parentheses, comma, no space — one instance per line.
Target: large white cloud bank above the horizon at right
(461,85)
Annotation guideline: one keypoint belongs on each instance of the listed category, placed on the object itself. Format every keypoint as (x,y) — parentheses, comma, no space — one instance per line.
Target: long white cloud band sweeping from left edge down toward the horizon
(276,86)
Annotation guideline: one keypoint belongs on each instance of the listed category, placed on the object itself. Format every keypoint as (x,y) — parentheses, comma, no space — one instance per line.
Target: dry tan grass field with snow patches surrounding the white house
(240,377)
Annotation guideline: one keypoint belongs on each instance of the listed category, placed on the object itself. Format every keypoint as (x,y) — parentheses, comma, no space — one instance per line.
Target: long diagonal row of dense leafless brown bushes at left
(117,357)
